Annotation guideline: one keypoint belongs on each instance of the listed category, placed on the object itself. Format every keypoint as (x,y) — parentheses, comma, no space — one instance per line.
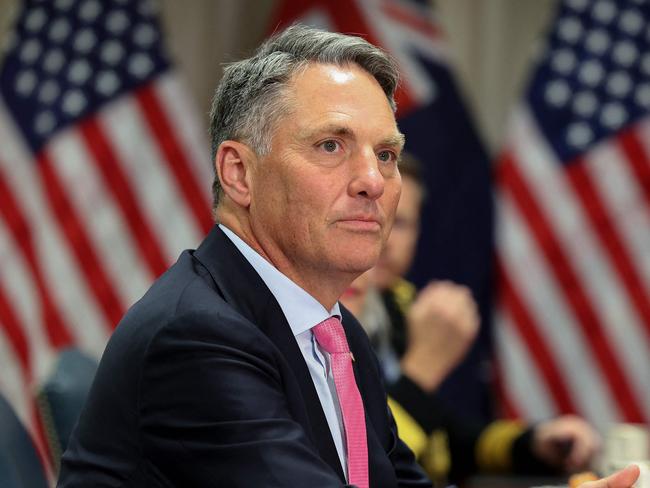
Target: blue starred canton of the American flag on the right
(594,78)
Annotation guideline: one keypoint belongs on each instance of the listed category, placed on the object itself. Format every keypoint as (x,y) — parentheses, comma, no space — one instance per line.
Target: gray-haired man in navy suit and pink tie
(234,368)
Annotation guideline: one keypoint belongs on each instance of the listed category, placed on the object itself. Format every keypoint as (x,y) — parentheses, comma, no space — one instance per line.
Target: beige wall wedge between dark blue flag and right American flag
(493,42)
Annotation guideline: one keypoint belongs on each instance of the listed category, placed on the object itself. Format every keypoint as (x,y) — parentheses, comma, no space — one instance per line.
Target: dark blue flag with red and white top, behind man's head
(456,238)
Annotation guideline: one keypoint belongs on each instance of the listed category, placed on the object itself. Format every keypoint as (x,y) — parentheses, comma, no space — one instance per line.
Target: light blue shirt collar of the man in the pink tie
(301,310)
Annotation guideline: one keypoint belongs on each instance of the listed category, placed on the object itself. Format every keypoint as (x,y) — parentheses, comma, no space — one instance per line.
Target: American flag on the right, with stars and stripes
(573,239)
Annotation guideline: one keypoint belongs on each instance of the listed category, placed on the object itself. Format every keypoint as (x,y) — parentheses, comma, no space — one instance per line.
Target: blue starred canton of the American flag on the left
(68,57)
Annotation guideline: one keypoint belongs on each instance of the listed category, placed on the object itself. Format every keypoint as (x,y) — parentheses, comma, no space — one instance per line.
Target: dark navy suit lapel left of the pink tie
(242,287)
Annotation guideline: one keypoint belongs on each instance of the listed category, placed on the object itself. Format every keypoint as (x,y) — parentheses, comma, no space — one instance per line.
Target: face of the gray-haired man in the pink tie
(324,199)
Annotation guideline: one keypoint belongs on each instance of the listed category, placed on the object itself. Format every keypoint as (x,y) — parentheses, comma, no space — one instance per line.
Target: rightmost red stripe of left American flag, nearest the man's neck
(175,157)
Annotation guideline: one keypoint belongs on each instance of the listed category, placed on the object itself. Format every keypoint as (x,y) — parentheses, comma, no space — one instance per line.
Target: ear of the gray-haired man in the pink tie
(233,163)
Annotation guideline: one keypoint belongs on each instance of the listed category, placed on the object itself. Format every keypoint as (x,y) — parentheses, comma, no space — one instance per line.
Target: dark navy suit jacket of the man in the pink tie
(203,384)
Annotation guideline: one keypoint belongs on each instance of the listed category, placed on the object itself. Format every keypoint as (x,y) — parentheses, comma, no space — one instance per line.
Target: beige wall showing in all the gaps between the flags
(491,40)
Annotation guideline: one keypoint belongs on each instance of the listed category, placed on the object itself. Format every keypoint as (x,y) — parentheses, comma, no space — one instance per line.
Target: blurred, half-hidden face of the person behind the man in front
(397,256)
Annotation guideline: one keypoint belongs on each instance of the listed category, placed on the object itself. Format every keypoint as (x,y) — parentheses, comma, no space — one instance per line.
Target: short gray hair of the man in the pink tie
(252,95)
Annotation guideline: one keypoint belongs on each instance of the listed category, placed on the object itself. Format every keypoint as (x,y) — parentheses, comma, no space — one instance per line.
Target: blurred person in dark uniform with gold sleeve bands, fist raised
(419,338)
